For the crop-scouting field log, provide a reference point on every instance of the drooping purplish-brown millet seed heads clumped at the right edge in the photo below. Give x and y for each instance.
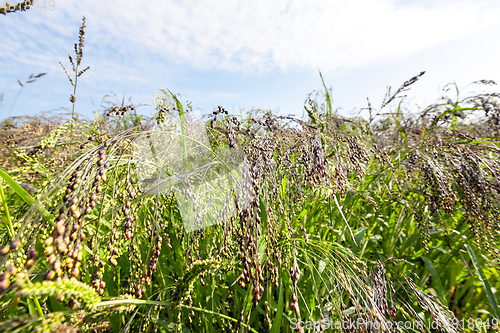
(450, 175)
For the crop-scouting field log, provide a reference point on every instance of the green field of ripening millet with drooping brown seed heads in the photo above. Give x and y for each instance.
(253, 223)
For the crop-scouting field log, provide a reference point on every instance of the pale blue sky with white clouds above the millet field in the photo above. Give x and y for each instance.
(246, 54)
